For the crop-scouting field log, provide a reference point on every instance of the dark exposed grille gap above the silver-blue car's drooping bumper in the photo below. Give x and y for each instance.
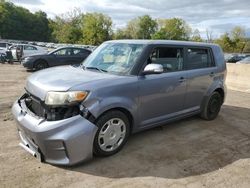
(50, 113)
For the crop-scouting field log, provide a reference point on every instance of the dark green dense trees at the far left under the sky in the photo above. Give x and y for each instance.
(19, 23)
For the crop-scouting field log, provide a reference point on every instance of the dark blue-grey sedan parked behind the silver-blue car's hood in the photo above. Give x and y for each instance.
(61, 56)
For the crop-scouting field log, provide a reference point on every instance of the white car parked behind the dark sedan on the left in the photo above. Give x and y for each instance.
(27, 50)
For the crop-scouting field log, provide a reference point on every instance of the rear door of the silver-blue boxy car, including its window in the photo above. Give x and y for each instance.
(200, 75)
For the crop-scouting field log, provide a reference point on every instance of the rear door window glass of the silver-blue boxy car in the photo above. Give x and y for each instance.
(199, 58)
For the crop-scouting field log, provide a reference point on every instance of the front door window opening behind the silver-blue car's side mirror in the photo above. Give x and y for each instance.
(171, 58)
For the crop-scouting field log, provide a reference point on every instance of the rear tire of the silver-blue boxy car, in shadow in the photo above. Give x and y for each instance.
(212, 107)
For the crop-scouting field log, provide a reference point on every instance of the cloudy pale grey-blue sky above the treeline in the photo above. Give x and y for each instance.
(217, 15)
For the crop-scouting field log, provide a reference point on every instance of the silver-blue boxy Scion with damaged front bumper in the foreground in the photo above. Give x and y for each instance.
(69, 113)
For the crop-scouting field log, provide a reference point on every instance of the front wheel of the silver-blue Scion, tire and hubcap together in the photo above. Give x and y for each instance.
(112, 134)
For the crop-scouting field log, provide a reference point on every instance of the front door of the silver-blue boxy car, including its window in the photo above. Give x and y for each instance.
(162, 96)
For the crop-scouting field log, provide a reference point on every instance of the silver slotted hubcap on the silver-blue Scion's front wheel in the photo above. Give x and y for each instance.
(112, 134)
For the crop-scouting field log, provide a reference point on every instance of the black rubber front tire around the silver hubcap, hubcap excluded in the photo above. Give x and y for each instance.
(101, 122)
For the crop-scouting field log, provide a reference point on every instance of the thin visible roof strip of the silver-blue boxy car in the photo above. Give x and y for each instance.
(169, 42)
